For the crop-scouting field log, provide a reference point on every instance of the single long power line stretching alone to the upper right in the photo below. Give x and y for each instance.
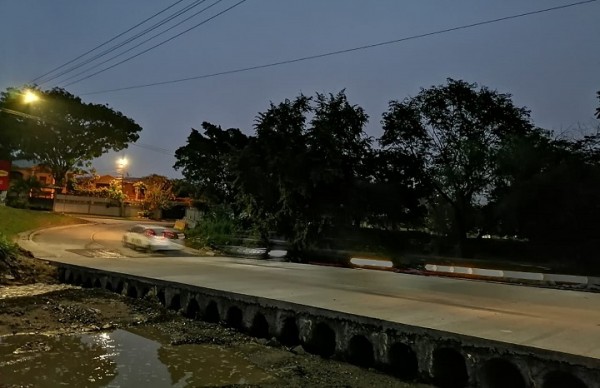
(345, 51)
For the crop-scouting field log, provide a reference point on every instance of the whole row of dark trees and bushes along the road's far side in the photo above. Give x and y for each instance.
(460, 174)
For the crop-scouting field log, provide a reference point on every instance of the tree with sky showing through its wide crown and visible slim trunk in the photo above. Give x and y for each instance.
(454, 132)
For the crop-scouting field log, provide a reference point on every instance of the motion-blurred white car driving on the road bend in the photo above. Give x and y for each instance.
(151, 238)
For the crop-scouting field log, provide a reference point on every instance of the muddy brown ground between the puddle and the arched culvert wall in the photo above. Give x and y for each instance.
(32, 301)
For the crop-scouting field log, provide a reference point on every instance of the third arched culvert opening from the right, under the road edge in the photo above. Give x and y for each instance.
(449, 369)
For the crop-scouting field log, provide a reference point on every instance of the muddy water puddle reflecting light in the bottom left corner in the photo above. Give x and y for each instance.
(120, 359)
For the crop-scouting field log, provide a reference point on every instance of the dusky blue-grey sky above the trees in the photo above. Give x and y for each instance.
(549, 61)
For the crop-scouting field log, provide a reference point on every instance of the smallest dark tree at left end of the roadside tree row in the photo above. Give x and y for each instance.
(206, 162)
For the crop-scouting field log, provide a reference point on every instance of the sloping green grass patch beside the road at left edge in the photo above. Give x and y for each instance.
(14, 221)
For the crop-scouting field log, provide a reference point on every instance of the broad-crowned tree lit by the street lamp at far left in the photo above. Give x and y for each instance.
(62, 132)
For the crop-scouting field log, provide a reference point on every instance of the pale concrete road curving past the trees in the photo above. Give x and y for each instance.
(565, 321)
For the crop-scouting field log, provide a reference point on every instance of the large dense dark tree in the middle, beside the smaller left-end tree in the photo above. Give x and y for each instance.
(301, 172)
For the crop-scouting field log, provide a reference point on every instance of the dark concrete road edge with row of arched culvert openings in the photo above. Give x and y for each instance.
(411, 353)
